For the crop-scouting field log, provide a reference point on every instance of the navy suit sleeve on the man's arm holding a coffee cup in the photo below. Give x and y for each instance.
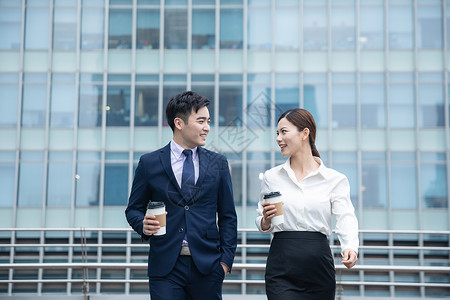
(139, 197)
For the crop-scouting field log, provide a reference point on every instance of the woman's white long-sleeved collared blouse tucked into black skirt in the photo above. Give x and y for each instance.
(310, 203)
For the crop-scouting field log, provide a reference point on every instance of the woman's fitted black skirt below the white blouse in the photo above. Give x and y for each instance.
(300, 266)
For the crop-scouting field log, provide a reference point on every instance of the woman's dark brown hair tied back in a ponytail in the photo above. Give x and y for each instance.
(301, 118)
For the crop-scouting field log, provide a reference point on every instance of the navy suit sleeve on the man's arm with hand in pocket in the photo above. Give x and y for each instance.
(227, 219)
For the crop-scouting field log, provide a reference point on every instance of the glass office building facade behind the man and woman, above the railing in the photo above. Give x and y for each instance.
(84, 85)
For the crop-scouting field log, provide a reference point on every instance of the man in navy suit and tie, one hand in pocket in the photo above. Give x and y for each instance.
(190, 261)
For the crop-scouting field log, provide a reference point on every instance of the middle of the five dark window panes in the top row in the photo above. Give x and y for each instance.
(175, 29)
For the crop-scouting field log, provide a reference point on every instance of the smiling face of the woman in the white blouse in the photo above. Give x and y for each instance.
(289, 138)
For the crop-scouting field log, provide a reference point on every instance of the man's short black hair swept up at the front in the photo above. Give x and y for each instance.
(181, 106)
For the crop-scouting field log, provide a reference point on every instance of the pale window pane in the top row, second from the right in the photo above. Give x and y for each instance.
(400, 27)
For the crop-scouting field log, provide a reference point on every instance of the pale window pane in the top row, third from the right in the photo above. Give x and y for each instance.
(372, 27)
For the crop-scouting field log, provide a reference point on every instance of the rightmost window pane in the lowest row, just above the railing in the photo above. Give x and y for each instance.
(434, 185)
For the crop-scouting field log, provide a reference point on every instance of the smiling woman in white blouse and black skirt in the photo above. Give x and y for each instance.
(300, 264)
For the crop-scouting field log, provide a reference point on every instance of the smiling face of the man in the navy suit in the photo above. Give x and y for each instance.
(197, 128)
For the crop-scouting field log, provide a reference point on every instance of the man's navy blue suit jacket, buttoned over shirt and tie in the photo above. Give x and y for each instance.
(208, 218)
